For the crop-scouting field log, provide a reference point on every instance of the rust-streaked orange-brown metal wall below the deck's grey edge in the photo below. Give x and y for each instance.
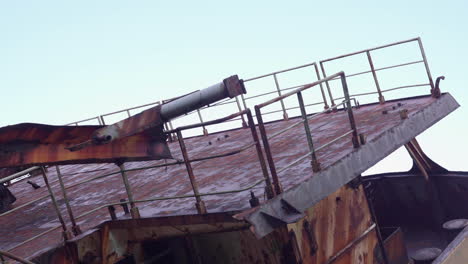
(338, 229)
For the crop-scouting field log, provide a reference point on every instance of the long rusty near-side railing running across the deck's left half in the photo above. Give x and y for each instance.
(131, 201)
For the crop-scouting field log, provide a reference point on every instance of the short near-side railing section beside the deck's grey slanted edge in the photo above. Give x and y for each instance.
(304, 120)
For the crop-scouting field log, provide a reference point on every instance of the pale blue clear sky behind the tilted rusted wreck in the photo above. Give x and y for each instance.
(62, 61)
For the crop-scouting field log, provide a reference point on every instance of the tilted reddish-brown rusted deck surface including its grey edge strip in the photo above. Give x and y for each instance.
(385, 127)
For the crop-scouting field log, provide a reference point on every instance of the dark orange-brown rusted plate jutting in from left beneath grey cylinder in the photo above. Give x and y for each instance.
(37, 144)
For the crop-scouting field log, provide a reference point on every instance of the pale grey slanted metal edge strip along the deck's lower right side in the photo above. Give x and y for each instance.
(311, 191)
